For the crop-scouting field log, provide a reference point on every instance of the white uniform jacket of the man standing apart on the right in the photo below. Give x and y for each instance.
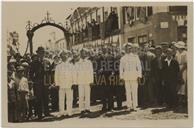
(130, 67)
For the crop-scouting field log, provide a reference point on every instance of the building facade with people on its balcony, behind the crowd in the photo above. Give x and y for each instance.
(93, 27)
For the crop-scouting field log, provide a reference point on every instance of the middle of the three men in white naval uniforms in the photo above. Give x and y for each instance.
(84, 79)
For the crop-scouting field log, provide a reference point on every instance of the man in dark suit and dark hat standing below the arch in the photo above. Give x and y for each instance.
(40, 91)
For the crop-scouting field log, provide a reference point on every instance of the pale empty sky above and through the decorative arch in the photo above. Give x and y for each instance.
(16, 14)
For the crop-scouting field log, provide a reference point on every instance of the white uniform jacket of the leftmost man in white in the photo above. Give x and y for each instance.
(63, 75)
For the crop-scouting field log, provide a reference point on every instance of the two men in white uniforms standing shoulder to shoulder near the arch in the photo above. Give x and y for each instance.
(68, 74)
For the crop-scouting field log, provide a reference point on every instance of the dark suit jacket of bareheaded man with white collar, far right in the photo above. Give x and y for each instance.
(170, 74)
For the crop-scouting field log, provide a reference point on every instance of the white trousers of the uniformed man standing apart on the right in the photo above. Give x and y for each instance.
(131, 87)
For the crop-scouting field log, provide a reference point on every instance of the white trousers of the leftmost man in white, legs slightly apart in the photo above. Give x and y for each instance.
(69, 100)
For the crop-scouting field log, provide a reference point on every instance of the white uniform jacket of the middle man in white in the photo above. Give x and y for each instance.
(85, 72)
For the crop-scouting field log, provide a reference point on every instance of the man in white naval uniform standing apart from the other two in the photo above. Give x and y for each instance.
(130, 72)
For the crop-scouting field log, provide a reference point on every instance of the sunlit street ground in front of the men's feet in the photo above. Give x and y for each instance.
(150, 113)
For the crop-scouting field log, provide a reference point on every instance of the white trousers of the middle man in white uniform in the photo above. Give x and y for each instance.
(84, 97)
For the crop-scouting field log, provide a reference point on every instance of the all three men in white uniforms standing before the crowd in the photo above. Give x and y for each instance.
(81, 74)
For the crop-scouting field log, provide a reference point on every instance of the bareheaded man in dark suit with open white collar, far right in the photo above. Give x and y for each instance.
(170, 73)
